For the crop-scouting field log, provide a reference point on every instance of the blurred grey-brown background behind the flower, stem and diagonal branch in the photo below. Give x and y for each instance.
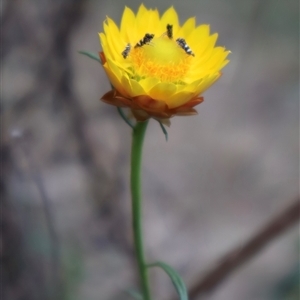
(66, 228)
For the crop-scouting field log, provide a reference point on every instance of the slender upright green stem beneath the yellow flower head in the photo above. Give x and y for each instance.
(136, 158)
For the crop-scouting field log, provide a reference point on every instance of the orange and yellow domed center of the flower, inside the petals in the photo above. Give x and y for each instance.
(162, 58)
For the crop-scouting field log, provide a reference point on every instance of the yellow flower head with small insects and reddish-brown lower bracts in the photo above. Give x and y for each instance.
(157, 67)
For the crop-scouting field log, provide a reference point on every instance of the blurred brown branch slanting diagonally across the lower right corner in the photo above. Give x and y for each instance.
(237, 257)
